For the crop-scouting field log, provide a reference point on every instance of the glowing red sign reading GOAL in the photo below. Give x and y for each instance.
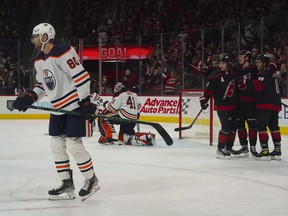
(119, 52)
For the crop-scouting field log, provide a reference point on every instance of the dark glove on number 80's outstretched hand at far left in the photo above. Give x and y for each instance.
(24, 100)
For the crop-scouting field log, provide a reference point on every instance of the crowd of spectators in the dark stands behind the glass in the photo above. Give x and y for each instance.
(182, 25)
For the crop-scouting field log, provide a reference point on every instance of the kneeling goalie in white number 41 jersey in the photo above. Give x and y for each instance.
(125, 105)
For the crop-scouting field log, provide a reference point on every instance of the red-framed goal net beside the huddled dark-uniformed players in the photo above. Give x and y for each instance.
(189, 107)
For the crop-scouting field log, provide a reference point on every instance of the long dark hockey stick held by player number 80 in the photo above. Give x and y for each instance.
(163, 133)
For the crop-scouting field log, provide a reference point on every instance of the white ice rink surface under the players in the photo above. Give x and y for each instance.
(183, 179)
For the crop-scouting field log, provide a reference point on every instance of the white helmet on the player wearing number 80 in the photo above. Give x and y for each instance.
(42, 29)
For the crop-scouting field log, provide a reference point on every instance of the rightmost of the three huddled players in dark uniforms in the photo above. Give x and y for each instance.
(268, 105)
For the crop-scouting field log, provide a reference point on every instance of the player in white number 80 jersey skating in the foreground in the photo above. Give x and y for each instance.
(66, 83)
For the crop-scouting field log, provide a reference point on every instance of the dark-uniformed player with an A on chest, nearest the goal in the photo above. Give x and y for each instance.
(221, 86)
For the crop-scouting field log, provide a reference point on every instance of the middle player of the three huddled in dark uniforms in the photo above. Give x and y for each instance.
(246, 111)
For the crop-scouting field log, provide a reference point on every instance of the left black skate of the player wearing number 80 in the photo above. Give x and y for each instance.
(64, 192)
